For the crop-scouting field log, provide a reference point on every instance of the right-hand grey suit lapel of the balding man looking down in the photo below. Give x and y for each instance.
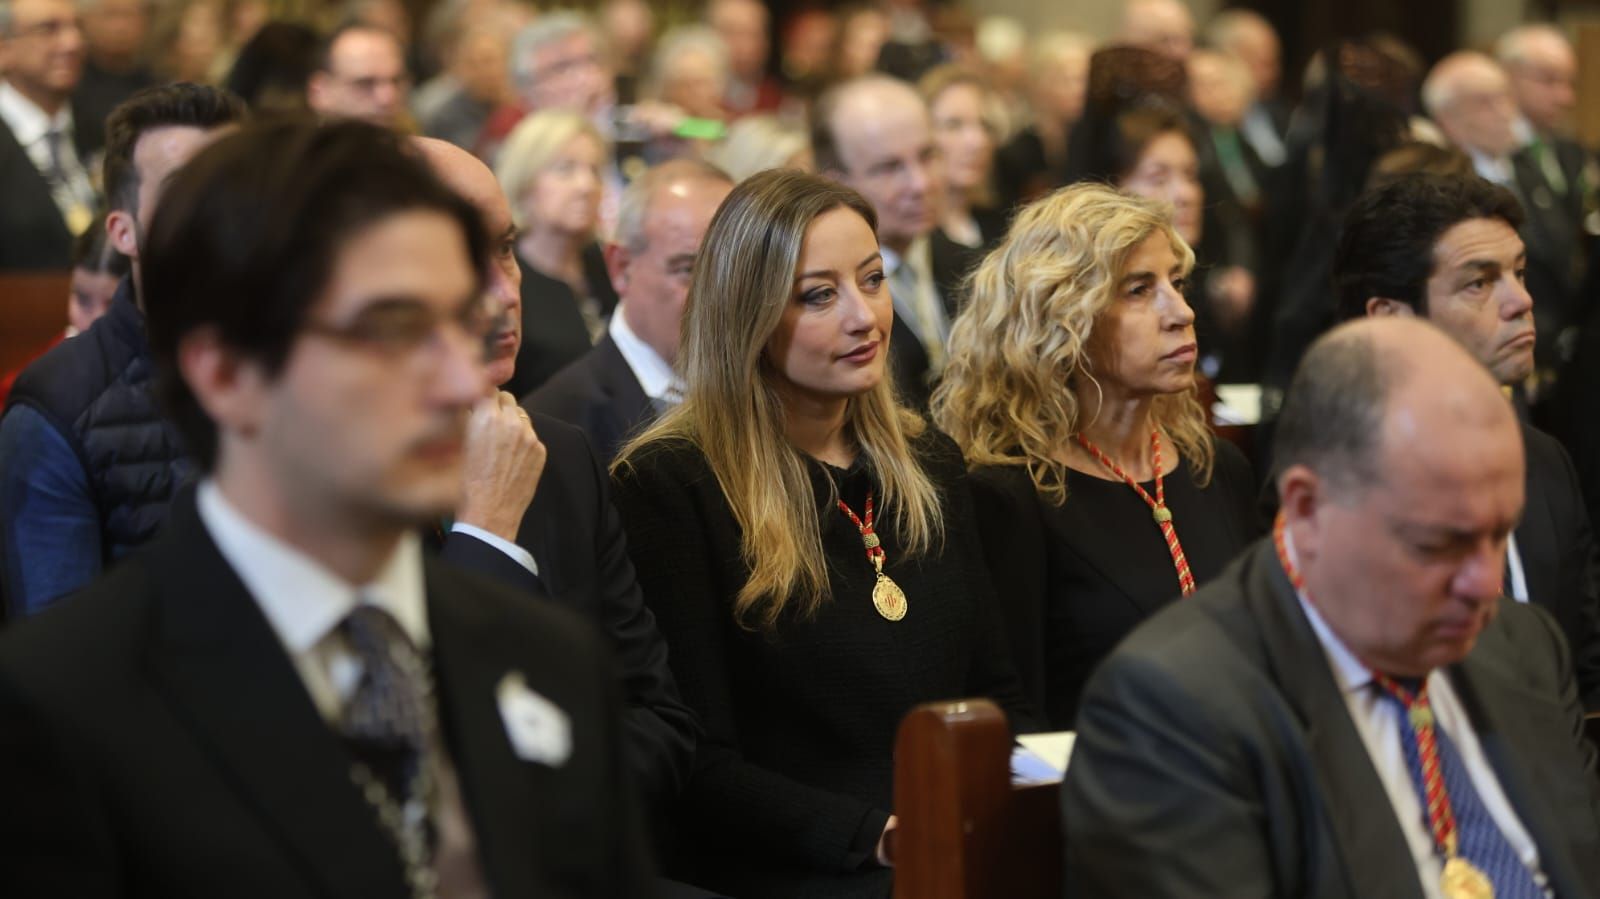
(1510, 722)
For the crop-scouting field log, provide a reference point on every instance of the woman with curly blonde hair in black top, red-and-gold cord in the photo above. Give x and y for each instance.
(1073, 391)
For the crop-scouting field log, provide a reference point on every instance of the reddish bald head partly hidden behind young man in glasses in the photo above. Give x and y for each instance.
(468, 177)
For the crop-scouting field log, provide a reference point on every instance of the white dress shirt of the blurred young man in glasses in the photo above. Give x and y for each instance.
(305, 604)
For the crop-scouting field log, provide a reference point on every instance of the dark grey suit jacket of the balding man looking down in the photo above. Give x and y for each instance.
(1217, 757)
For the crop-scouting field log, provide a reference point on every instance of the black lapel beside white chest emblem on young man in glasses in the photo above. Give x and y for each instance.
(495, 785)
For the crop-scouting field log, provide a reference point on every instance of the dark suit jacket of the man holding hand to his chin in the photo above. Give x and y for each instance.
(577, 540)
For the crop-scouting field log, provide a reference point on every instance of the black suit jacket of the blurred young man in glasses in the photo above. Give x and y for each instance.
(158, 741)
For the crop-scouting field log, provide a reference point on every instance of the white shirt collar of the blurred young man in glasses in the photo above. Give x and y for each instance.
(302, 599)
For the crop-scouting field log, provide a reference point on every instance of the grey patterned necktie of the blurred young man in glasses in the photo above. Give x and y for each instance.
(388, 725)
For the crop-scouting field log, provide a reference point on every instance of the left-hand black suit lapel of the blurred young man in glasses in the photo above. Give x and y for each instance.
(231, 682)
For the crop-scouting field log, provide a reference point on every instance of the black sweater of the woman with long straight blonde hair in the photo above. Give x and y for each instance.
(794, 780)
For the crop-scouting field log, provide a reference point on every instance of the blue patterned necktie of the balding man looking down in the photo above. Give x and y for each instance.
(1479, 837)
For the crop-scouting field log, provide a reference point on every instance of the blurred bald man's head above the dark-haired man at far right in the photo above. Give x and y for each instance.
(1470, 97)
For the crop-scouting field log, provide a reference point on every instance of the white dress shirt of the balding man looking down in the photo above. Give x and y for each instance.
(1380, 725)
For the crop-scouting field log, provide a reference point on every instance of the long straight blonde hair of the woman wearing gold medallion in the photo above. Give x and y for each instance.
(732, 412)
